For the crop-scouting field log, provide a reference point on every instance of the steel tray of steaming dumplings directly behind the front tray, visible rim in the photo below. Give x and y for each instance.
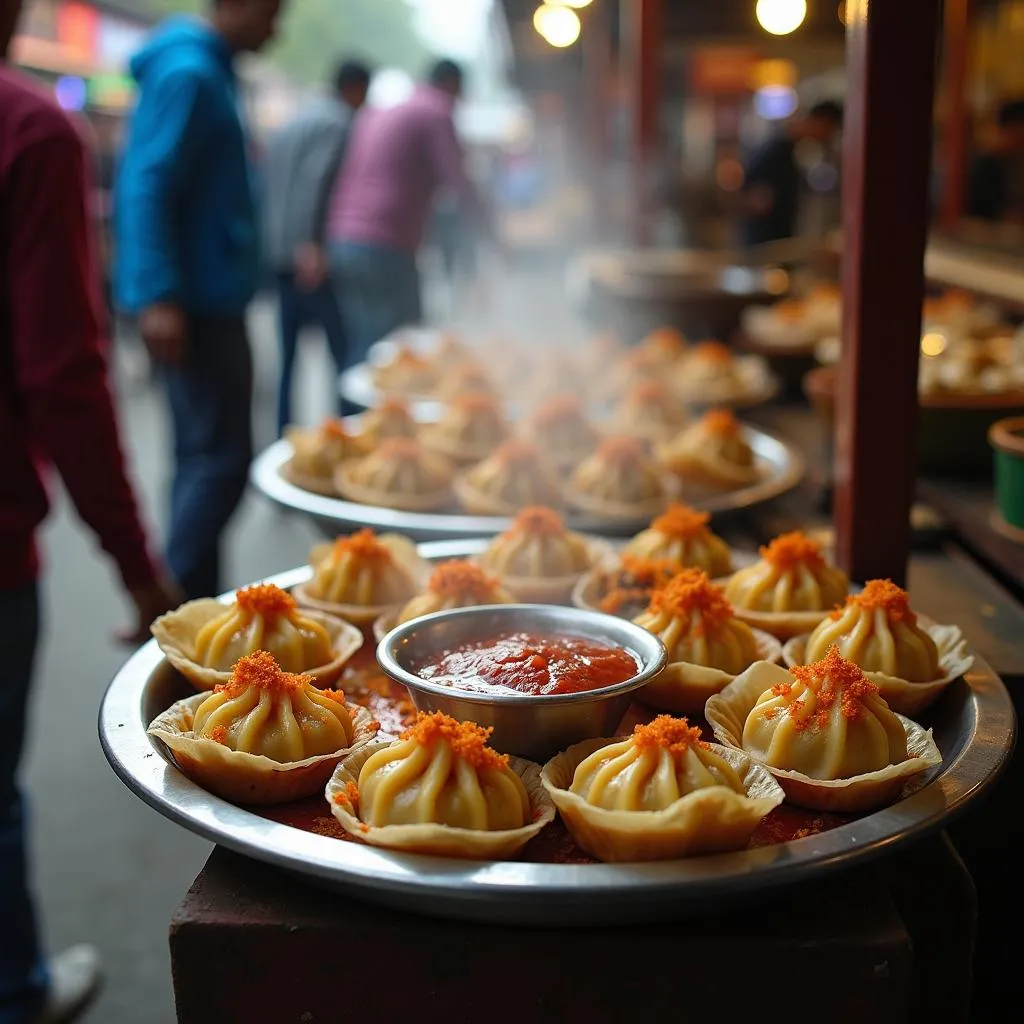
(784, 464)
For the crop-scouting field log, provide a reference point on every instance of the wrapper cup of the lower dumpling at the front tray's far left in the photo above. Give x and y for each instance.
(248, 779)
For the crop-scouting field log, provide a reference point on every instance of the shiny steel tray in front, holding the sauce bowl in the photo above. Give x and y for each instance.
(974, 727)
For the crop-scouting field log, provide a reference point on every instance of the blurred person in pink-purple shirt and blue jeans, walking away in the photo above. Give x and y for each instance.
(398, 161)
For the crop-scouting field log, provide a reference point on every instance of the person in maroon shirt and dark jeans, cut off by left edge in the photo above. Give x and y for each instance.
(56, 409)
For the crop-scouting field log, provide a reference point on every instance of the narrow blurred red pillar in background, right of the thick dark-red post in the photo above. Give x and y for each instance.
(955, 148)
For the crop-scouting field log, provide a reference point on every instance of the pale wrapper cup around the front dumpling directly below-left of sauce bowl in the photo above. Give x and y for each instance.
(442, 841)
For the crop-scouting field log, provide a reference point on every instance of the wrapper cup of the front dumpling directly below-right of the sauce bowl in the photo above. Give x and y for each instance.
(710, 821)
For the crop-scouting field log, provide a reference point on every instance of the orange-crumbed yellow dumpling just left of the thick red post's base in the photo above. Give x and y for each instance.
(792, 576)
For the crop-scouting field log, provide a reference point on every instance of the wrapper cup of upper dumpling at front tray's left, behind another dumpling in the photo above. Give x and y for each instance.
(177, 634)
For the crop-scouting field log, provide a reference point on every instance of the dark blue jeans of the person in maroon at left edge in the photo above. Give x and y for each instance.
(23, 970)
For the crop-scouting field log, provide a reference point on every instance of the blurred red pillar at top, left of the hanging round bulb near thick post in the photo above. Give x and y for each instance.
(644, 23)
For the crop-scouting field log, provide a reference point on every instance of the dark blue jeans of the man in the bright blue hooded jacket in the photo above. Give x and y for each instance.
(211, 407)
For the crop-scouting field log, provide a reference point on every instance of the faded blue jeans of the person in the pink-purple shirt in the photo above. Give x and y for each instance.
(379, 292)
